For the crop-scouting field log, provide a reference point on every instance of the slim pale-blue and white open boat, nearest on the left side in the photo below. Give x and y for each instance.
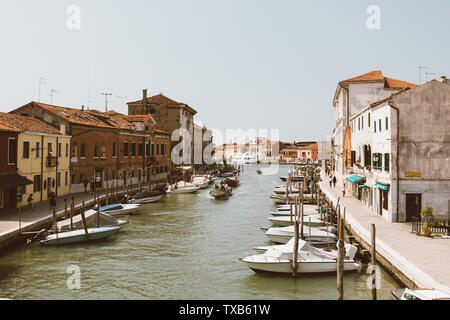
(78, 236)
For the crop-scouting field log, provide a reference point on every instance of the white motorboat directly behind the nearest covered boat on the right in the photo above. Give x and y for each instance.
(317, 237)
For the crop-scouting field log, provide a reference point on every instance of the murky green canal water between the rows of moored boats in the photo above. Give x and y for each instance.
(184, 247)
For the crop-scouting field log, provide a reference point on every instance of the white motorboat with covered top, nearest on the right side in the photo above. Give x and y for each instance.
(279, 260)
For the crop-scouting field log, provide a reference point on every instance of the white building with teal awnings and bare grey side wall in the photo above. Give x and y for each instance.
(402, 143)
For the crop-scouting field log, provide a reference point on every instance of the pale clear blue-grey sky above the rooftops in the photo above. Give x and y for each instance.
(240, 63)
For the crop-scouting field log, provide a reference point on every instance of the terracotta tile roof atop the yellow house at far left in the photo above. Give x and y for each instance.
(22, 123)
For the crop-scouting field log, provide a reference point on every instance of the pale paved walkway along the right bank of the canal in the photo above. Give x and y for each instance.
(423, 260)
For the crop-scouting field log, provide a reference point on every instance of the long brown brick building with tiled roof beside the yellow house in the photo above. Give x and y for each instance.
(106, 148)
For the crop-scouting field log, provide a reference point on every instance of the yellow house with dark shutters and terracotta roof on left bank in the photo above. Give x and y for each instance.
(43, 156)
